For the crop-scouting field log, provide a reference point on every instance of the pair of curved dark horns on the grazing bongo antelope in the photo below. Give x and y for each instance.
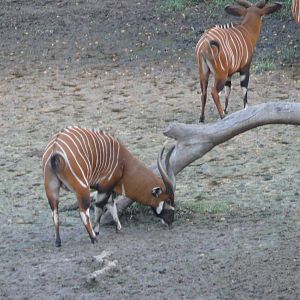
(167, 175)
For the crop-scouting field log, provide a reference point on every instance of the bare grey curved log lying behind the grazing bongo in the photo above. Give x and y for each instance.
(195, 140)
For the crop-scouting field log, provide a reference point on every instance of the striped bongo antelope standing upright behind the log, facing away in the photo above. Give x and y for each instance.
(225, 50)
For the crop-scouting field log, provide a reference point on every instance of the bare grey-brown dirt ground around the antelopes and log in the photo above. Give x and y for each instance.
(128, 67)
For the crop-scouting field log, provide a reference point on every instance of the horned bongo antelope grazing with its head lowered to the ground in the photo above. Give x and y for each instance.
(78, 159)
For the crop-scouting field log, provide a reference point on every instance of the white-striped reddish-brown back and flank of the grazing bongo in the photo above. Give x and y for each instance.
(94, 154)
